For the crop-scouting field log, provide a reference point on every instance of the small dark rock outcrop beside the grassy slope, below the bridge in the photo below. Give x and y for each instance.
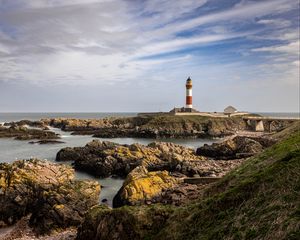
(237, 147)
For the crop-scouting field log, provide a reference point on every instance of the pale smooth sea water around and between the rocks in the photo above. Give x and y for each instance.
(11, 150)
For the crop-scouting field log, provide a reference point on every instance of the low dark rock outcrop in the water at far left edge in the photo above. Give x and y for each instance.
(24, 133)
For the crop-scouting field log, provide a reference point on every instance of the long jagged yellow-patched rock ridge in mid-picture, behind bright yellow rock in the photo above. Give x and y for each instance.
(106, 158)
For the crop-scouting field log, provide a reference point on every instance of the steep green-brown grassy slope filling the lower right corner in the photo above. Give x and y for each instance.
(260, 200)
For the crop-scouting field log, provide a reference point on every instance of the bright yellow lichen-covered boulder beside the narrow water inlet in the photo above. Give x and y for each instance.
(141, 186)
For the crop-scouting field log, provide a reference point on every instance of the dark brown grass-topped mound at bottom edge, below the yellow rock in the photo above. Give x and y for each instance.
(126, 223)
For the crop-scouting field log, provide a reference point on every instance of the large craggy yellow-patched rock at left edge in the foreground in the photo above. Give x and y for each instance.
(47, 191)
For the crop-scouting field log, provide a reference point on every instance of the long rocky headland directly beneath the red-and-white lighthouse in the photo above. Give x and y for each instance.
(158, 126)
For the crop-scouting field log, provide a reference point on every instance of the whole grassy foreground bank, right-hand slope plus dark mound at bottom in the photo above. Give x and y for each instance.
(258, 200)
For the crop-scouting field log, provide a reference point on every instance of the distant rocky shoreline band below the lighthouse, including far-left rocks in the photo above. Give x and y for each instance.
(156, 126)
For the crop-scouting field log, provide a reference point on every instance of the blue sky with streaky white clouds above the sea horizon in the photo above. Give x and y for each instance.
(135, 55)
